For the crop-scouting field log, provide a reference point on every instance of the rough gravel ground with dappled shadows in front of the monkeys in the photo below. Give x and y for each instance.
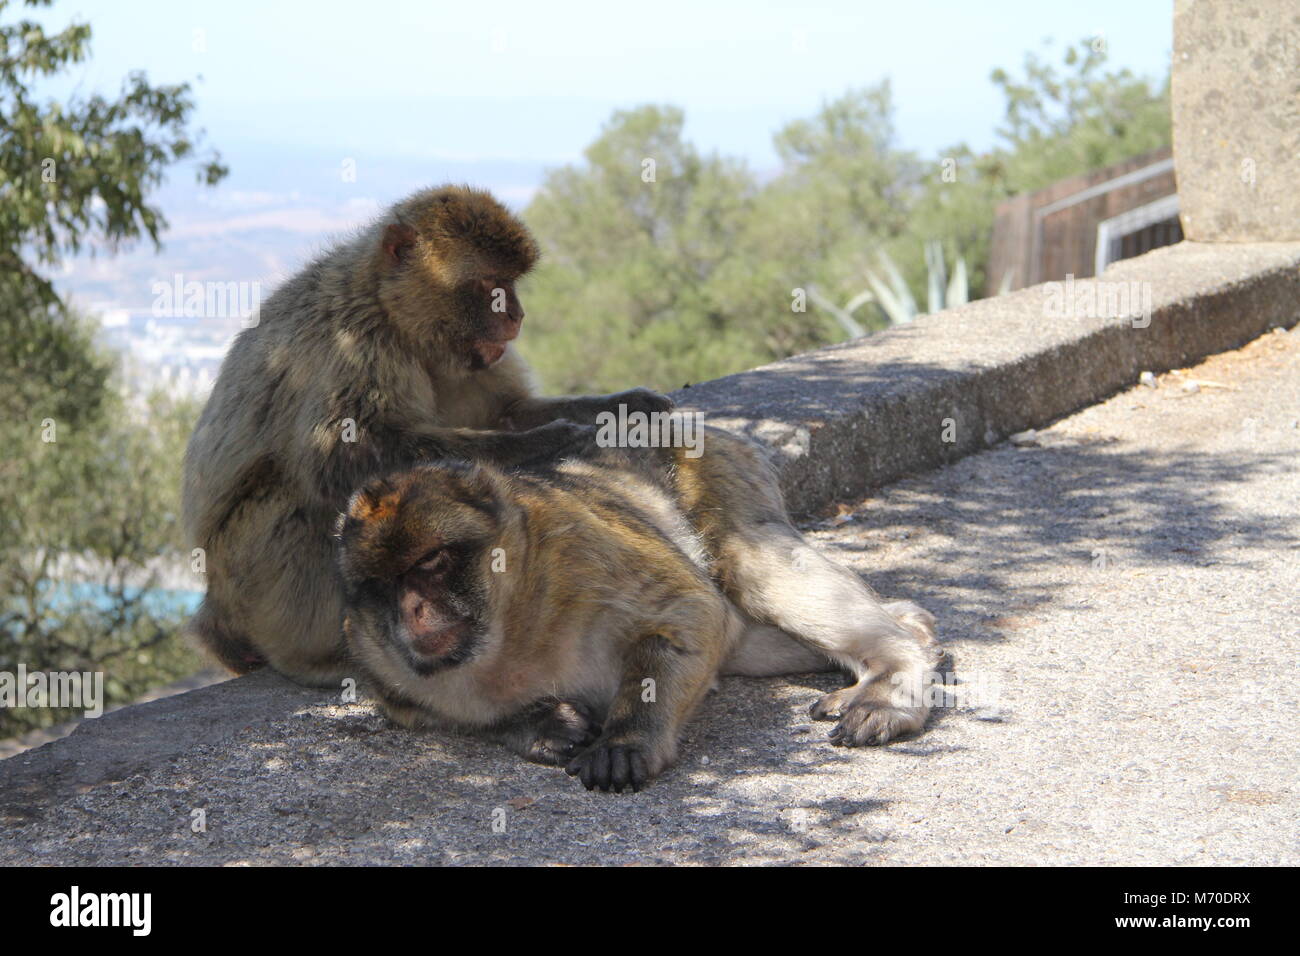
(1117, 594)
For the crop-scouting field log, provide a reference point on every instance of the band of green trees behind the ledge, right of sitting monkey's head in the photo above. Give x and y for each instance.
(694, 275)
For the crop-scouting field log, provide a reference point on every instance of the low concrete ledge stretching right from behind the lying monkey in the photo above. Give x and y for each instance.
(846, 419)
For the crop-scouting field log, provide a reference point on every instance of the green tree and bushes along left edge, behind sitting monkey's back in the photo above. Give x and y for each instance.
(89, 520)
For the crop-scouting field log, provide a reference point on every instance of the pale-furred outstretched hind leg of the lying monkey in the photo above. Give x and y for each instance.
(775, 577)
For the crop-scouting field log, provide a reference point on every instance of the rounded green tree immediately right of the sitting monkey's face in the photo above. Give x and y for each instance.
(632, 241)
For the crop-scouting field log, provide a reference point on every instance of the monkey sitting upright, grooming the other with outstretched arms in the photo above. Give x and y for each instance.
(391, 348)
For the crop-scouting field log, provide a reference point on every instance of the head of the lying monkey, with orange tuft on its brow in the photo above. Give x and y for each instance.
(415, 553)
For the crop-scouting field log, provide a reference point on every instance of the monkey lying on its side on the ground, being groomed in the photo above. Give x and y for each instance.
(582, 612)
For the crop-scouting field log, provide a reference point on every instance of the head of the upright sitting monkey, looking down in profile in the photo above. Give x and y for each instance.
(449, 262)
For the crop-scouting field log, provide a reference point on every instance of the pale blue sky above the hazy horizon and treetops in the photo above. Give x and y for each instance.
(528, 81)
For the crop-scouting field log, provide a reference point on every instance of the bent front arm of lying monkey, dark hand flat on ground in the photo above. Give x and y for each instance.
(665, 676)
